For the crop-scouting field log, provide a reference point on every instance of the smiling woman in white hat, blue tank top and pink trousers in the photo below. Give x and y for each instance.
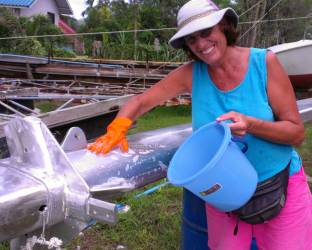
(250, 88)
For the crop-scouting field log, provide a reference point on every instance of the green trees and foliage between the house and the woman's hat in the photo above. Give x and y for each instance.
(121, 15)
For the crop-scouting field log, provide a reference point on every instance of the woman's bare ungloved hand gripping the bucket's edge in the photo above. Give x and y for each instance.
(241, 123)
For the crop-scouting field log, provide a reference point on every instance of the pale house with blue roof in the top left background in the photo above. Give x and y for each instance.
(54, 9)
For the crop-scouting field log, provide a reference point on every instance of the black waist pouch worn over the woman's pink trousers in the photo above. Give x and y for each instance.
(267, 201)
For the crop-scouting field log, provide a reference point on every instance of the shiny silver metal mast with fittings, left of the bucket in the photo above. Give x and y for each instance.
(50, 192)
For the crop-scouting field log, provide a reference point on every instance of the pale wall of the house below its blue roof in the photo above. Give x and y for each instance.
(42, 7)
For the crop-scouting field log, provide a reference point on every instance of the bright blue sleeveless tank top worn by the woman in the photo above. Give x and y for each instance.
(249, 98)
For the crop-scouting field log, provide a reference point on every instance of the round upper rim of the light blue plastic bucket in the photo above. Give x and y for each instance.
(214, 159)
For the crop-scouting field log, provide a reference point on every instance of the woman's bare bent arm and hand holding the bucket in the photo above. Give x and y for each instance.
(288, 127)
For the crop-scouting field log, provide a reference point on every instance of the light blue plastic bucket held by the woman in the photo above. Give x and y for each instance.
(212, 166)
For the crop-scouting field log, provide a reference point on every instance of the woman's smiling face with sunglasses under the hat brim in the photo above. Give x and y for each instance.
(210, 46)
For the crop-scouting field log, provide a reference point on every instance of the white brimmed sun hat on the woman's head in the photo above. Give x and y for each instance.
(198, 15)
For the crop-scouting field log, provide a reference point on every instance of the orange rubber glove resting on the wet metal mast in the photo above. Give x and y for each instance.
(116, 134)
